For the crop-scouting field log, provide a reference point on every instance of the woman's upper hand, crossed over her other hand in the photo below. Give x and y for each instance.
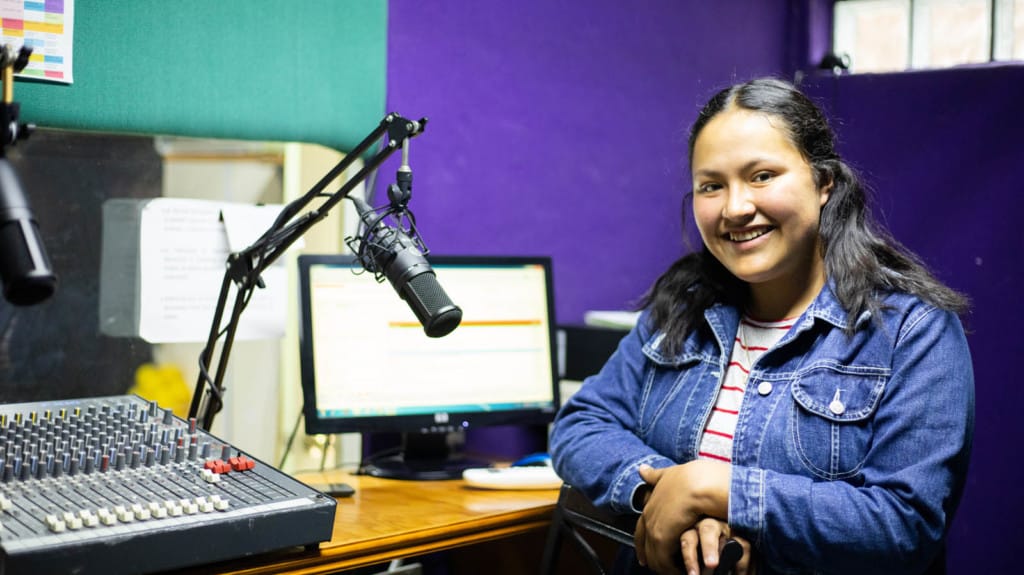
(679, 497)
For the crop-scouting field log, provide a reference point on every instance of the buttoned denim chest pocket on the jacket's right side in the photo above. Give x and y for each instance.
(831, 427)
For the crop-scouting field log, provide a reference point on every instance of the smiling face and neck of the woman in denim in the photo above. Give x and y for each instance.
(757, 206)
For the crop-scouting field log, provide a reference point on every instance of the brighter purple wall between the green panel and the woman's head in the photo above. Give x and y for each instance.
(559, 128)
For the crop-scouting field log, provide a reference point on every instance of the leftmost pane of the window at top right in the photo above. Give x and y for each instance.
(874, 33)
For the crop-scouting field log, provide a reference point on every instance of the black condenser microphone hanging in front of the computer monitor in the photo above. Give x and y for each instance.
(391, 251)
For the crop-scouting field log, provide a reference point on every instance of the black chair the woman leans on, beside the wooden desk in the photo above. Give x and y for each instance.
(575, 513)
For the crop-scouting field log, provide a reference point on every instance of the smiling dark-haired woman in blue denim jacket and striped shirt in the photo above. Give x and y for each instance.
(802, 384)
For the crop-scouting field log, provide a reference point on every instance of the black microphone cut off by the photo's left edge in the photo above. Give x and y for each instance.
(25, 269)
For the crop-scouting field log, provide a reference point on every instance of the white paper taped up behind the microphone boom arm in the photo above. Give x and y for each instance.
(163, 264)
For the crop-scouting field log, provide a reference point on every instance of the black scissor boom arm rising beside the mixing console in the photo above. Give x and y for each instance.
(244, 269)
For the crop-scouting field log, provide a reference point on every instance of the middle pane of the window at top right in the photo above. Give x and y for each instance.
(951, 32)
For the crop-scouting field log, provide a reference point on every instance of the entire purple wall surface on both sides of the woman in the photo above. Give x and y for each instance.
(559, 128)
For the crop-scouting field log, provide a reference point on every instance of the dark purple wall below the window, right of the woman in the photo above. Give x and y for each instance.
(944, 152)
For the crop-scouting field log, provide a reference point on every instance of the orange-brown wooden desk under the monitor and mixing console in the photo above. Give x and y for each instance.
(393, 519)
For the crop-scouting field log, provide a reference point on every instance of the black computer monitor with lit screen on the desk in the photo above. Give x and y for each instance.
(368, 366)
